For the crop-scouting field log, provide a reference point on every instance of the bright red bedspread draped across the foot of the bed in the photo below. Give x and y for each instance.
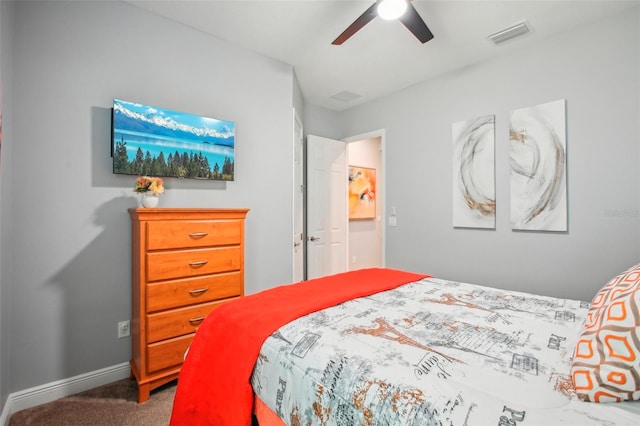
(214, 385)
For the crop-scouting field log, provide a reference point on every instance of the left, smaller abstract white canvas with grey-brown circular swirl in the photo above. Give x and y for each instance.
(474, 200)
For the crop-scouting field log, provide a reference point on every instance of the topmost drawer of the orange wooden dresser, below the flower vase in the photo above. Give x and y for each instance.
(169, 234)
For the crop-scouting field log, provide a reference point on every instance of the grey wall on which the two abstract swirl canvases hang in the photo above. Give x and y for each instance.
(597, 72)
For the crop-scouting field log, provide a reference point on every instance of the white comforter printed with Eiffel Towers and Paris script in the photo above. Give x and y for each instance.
(433, 352)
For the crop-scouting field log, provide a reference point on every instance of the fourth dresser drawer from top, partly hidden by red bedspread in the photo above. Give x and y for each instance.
(178, 322)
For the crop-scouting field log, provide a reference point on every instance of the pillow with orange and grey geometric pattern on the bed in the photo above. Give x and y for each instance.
(606, 361)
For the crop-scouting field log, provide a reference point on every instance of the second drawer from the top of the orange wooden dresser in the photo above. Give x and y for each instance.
(189, 263)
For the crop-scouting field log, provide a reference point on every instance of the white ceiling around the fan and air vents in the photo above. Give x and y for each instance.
(384, 56)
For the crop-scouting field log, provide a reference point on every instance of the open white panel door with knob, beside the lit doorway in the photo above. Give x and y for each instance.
(326, 206)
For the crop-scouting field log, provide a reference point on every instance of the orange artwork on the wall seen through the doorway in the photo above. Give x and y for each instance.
(362, 193)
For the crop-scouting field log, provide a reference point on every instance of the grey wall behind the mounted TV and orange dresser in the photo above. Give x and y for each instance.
(69, 234)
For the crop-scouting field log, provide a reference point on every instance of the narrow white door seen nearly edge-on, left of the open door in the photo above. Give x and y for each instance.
(298, 201)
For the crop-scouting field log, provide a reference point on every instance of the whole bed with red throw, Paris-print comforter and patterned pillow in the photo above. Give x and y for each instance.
(387, 347)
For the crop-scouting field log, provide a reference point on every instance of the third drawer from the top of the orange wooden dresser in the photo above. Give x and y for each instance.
(174, 294)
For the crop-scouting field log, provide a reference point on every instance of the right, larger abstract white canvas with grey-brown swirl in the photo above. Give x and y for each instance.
(537, 140)
